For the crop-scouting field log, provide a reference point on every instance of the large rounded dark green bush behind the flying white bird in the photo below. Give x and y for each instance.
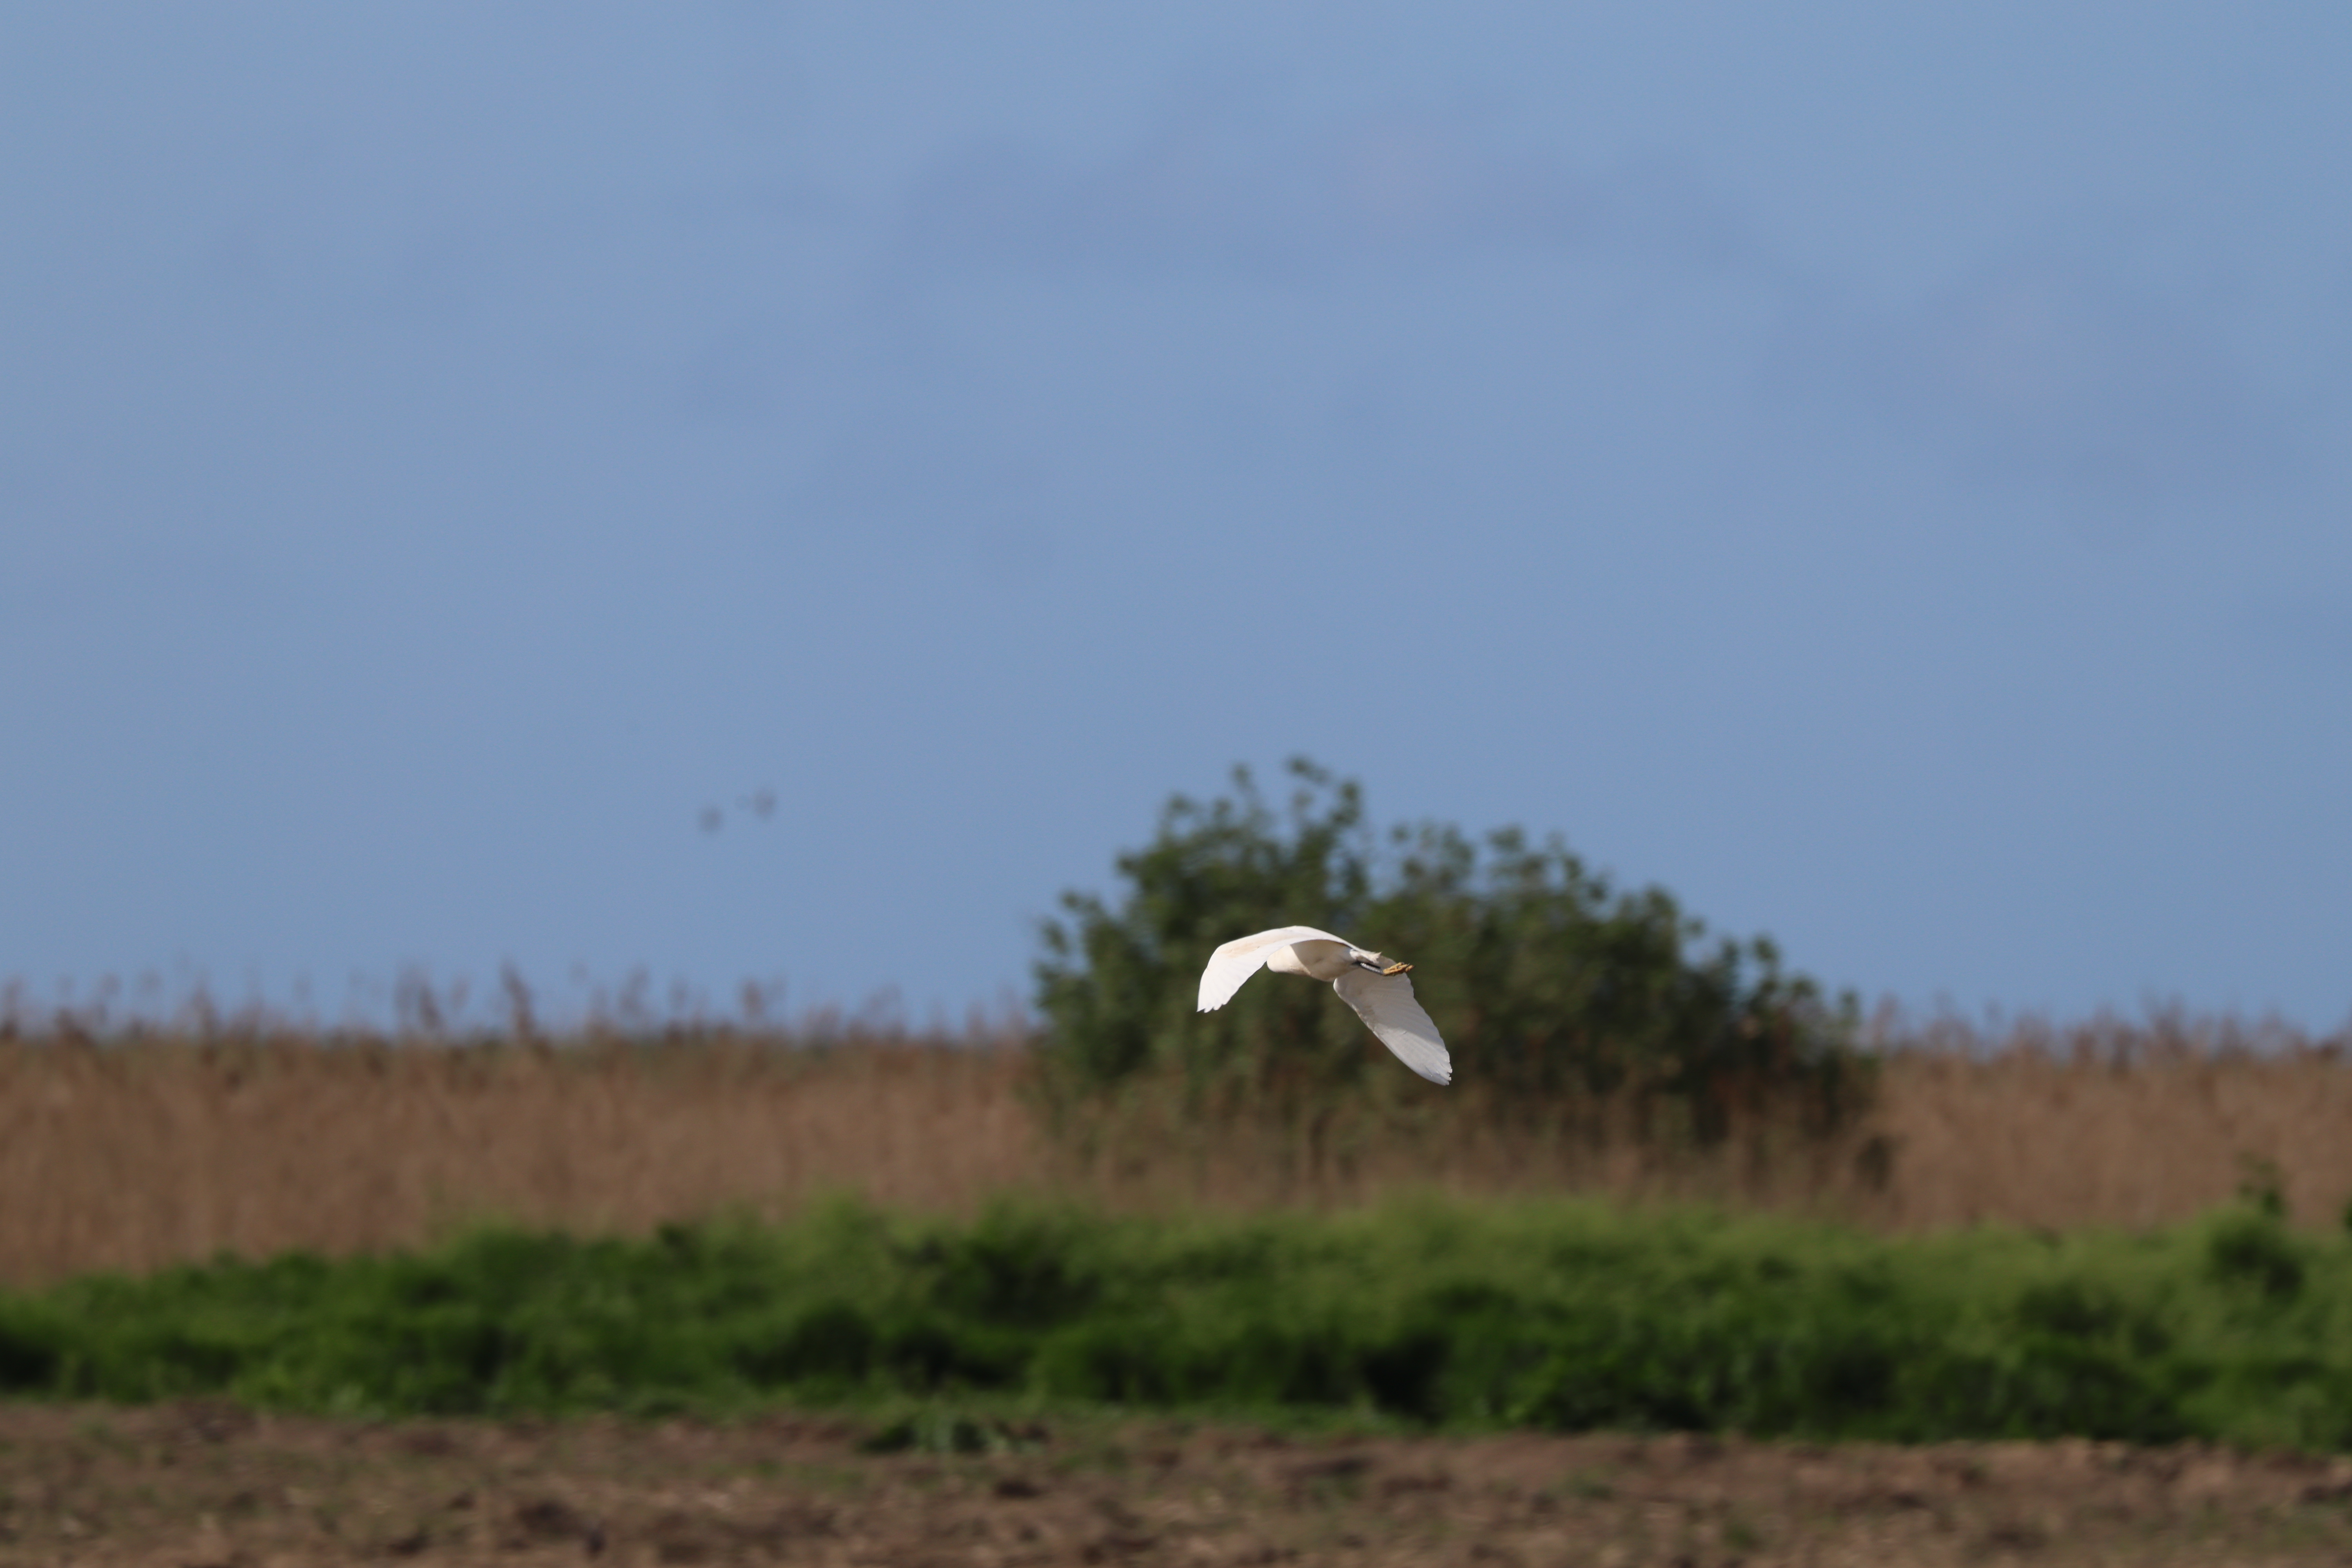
(1551, 986)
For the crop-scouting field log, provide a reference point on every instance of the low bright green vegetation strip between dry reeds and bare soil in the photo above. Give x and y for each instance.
(1450, 1315)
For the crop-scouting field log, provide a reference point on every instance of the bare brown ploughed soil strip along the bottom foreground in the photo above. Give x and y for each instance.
(201, 1487)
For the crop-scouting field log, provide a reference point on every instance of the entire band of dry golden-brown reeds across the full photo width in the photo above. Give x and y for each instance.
(173, 1146)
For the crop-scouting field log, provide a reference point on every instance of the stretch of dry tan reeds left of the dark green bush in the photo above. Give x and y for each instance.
(166, 1151)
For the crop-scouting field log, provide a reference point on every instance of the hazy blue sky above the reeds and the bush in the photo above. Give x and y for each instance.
(1883, 474)
